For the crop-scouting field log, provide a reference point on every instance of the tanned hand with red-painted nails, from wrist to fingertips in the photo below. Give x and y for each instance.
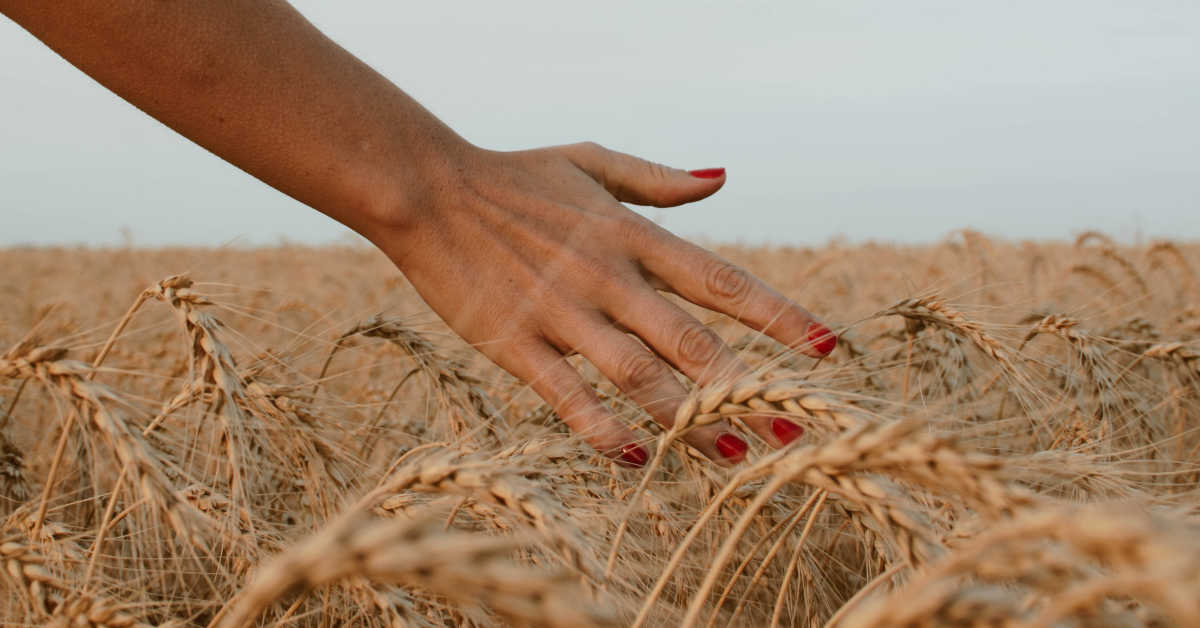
(530, 256)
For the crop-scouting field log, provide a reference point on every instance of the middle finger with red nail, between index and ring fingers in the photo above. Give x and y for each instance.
(700, 354)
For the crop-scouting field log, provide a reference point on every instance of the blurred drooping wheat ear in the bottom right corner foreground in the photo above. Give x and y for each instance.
(1165, 555)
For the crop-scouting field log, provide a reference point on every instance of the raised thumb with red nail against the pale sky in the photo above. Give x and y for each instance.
(644, 183)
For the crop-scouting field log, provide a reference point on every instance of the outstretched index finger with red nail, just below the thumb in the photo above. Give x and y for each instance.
(710, 282)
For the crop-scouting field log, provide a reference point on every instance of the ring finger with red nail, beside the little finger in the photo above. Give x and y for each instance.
(652, 385)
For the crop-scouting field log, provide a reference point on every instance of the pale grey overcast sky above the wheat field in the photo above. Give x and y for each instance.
(850, 119)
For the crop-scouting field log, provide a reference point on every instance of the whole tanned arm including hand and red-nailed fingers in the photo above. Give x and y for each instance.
(527, 255)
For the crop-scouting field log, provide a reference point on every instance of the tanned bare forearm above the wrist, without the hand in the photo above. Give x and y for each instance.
(255, 83)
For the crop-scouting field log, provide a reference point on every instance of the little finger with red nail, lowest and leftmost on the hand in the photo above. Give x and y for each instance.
(557, 382)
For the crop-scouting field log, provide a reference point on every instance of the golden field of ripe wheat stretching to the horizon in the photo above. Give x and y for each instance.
(1009, 434)
